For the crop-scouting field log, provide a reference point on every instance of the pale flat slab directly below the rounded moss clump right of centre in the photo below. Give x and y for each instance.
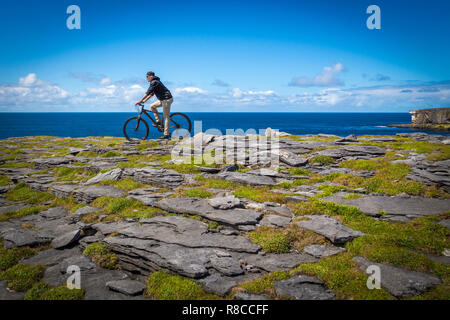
(278, 262)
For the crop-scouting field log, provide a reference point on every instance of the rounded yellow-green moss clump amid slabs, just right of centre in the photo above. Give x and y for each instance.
(271, 240)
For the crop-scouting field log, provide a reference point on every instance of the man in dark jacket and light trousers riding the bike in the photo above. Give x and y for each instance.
(165, 100)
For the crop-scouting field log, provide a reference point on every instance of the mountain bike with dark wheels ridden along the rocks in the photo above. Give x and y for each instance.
(136, 128)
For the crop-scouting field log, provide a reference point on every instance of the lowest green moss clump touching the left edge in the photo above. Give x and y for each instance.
(21, 277)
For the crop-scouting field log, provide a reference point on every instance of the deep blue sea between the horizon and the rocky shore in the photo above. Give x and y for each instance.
(110, 124)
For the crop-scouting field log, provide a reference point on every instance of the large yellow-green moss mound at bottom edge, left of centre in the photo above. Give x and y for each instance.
(164, 286)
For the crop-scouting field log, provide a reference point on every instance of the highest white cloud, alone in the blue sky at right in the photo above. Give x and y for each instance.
(328, 77)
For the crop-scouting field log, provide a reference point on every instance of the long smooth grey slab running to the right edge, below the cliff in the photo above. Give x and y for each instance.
(394, 206)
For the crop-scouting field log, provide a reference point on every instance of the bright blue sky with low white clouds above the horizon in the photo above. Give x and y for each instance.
(263, 56)
